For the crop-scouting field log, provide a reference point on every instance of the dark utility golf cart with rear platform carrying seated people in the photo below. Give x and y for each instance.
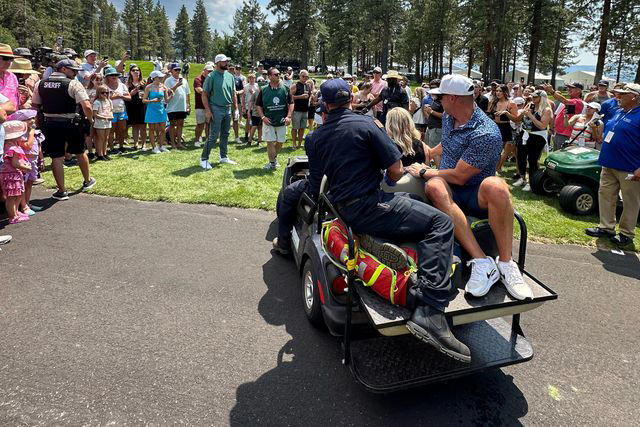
(376, 345)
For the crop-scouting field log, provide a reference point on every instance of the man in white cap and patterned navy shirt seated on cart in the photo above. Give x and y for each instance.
(466, 184)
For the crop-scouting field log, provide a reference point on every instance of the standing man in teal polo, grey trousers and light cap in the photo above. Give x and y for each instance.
(218, 99)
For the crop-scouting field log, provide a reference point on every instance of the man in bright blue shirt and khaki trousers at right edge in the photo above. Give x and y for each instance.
(620, 161)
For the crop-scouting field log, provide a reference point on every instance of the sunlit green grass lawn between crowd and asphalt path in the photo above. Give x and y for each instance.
(177, 177)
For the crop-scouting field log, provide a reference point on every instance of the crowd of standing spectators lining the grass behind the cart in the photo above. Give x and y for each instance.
(80, 110)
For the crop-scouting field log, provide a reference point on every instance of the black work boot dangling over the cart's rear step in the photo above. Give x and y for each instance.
(430, 326)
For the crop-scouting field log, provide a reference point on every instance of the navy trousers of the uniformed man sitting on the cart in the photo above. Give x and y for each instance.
(398, 217)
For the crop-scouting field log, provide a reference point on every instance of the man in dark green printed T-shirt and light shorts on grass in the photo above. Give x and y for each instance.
(275, 106)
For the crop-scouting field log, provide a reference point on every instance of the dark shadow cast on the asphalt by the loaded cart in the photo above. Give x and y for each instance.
(309, 385)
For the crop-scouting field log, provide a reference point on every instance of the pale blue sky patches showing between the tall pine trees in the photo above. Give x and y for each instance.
(221, 16)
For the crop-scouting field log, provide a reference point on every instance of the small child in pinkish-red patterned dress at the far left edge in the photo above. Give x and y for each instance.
(15, 163)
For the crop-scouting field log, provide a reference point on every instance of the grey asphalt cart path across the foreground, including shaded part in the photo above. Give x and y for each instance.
(119, 311)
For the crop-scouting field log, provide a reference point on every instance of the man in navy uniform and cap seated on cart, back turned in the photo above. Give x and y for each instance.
(353, 150)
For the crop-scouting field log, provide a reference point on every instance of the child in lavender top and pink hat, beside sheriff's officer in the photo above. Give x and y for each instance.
(32, 152)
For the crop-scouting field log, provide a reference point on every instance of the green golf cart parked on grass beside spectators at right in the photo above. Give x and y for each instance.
(573, 172)
